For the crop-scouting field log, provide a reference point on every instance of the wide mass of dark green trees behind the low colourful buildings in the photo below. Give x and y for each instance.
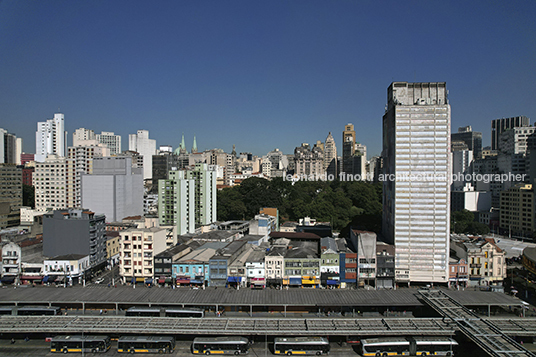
(338, 202)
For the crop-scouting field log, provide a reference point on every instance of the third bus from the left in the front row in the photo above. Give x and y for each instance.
(220, 345)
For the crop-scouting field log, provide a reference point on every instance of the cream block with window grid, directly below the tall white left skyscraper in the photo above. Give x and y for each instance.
(50, 181)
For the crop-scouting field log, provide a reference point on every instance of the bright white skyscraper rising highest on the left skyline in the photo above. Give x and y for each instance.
(51, 138)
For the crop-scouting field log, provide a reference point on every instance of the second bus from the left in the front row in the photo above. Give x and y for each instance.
(146, 344)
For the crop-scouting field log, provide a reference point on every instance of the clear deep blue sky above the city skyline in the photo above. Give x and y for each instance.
(259, 74)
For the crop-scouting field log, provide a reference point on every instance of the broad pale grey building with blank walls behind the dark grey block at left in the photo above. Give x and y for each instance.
(114, 189)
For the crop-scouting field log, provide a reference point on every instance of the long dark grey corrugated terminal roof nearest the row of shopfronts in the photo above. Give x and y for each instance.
(291, 297)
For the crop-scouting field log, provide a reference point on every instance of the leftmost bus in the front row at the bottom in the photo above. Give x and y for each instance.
(93, 344)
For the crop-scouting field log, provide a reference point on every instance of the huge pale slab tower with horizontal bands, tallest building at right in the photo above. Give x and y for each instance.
(416, 153)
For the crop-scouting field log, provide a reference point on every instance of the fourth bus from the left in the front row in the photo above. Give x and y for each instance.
(301, 346)
